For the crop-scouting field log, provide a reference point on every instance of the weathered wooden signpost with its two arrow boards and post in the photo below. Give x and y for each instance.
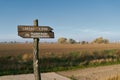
(35, 32)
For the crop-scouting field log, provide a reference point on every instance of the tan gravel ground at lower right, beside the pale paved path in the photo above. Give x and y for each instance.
(98, 73)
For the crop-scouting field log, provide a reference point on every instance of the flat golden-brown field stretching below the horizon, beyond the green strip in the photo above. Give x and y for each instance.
(17, 49)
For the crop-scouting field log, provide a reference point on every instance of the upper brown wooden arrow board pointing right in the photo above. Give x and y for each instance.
(34, 28)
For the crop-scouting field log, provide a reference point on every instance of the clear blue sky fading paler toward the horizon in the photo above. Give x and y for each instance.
(76, 19)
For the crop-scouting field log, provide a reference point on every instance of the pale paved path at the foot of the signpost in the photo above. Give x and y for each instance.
(45, 76)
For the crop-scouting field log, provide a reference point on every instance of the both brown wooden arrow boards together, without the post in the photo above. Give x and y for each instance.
(35, 31)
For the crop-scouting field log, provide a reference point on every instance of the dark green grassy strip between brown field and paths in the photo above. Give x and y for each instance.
(74, 60)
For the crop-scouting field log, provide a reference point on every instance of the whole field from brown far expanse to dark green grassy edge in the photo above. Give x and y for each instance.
(17, 58)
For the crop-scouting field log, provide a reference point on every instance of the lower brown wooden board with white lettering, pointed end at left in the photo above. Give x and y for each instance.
(36, 34)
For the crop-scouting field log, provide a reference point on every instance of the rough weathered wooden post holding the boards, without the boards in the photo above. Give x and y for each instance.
(36, 64)
